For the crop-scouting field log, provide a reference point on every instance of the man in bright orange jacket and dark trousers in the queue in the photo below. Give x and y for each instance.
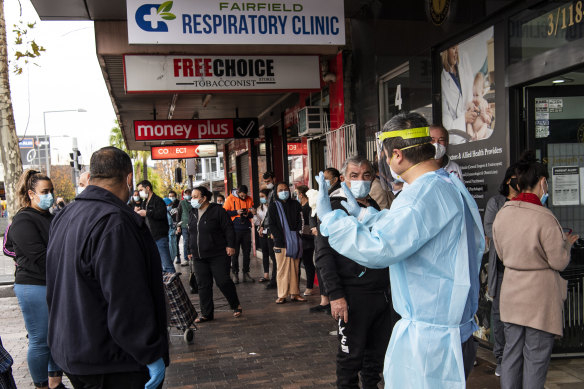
(239, 207)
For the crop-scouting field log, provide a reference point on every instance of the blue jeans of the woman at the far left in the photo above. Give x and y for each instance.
(33, 304)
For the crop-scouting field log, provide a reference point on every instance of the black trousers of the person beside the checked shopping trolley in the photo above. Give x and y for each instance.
(218, 268)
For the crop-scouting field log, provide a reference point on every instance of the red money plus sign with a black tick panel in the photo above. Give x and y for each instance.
(159, 130)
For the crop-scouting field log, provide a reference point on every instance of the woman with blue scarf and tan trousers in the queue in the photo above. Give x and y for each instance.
(285, 216)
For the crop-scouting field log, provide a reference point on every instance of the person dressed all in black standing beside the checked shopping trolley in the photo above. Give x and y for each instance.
(211, 244)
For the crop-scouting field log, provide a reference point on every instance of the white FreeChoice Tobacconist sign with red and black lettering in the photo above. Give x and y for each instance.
(155, 73)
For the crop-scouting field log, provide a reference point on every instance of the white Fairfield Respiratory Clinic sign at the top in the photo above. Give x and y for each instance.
(280, 22)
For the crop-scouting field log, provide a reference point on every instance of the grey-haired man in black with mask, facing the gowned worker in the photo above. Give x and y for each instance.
(360, 297)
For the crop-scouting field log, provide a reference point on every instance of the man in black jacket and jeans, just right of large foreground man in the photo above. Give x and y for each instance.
(153, 209)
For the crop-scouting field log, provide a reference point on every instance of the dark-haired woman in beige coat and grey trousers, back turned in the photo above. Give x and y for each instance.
(534, 249)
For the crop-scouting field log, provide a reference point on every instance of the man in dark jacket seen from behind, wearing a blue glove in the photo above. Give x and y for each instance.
(107, 313)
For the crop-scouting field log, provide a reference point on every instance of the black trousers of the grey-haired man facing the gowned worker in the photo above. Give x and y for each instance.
(364, 339)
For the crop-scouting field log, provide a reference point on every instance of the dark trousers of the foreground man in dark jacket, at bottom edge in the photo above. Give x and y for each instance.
(133, 380)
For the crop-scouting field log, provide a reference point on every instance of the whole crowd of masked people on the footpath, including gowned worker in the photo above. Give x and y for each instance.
(403, 307)
